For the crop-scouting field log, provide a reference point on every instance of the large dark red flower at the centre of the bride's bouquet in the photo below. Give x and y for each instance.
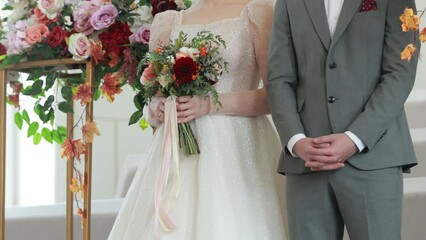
(185, 70)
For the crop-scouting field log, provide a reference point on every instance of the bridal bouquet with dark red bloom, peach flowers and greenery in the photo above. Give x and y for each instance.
(178, 69)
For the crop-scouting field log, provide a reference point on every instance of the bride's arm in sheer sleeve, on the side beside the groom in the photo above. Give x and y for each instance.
(252, 102)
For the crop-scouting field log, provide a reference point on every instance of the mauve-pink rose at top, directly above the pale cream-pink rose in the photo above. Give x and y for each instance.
(82, 15)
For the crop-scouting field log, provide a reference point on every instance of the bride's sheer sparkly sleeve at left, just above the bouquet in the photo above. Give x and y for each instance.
(161, 28)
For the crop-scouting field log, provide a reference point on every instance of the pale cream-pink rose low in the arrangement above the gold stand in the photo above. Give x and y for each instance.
(79, 46)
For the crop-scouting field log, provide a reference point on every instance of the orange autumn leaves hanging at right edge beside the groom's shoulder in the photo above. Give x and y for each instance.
(411, 22)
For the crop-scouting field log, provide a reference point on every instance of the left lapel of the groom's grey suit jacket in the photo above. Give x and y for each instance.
(316, 10)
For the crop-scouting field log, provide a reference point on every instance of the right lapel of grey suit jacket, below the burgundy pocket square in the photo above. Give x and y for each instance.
(349, 9)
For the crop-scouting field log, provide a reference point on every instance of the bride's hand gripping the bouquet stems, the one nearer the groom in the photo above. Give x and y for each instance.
(192, 107)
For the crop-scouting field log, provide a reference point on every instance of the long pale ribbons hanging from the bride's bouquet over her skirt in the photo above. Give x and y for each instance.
(168, 183)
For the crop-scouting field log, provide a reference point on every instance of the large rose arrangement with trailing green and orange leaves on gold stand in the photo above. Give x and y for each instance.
(112, 34)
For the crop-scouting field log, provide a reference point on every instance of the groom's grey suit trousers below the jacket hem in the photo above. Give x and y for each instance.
(368, 203)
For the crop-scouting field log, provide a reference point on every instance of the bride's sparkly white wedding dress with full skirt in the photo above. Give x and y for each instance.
(231, 190)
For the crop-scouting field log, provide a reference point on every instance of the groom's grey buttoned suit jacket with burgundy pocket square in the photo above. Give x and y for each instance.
(356, 81)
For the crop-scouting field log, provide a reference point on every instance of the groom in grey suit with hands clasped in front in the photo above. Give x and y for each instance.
(336, 88)
